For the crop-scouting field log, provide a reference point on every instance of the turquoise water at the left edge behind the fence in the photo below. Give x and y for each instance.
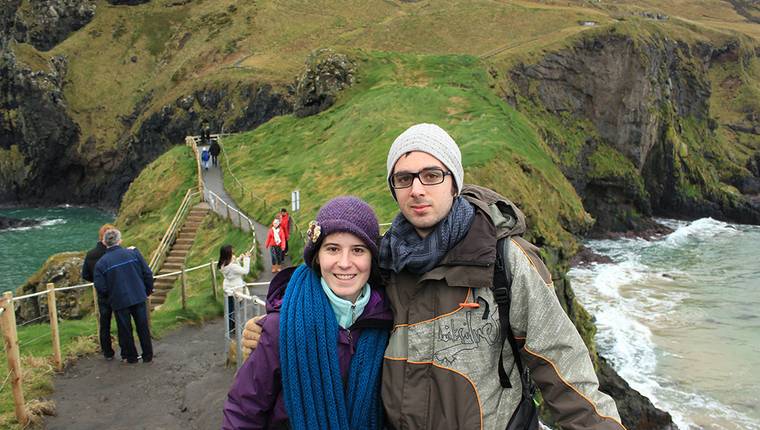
(24, 250)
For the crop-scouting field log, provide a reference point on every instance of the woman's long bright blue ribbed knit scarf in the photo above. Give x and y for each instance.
(311, 379)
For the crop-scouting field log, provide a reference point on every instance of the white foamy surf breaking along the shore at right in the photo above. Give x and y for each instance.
(625, 312)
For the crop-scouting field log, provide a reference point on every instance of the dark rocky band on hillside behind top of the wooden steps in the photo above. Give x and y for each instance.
(105, 176)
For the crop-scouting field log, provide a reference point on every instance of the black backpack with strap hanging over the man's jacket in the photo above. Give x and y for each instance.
(525, 416)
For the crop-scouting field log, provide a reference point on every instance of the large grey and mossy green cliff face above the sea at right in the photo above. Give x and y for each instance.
(650, 144)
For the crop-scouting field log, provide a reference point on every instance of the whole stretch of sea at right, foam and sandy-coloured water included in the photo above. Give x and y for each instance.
(679, 319)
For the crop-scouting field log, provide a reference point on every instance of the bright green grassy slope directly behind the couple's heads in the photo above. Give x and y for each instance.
(343, 150)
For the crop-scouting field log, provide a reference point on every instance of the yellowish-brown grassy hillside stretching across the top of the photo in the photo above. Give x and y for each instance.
(165, 49)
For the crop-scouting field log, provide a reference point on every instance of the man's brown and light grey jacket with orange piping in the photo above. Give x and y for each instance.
(441, 366)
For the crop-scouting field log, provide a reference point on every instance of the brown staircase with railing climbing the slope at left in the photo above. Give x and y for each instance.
(176, 259)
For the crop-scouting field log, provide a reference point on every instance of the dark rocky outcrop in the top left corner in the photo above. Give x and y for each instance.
(45, 23)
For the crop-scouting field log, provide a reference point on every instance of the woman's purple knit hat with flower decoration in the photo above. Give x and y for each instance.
(342, 214)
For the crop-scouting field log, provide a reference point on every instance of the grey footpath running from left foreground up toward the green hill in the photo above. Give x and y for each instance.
(184, 388)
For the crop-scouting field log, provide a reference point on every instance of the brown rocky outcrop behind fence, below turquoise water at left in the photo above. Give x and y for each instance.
(63, 270)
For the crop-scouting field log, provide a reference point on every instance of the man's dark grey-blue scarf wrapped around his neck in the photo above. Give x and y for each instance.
(402, 248)
